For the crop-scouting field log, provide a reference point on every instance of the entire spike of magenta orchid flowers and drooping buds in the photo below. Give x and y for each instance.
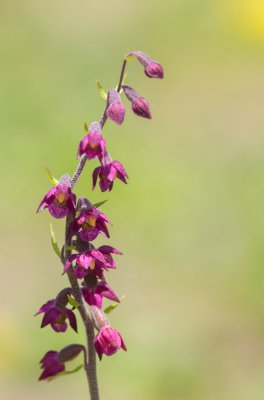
(85, 264)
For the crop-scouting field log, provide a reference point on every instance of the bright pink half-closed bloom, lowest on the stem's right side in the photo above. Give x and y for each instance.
(108, 341)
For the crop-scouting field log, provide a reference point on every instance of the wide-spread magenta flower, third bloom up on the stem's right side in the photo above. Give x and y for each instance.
(84, 262)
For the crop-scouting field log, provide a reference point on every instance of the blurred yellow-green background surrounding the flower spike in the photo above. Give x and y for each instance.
(190, 222)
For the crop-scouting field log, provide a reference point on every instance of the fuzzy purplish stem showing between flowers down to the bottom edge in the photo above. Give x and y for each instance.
(90, 365)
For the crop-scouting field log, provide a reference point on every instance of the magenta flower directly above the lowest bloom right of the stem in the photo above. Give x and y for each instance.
(94, 291)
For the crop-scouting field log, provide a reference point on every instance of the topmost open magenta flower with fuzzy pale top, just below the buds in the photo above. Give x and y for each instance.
(92, 145)
